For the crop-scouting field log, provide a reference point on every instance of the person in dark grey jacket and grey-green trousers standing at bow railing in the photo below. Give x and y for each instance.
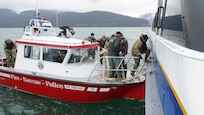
(114, 49)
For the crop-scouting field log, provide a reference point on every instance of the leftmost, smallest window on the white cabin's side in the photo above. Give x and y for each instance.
(32, 52)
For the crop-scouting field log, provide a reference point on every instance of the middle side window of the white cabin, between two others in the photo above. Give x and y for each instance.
(54, 55)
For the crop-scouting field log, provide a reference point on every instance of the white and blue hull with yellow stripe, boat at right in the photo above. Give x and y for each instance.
(180, 76)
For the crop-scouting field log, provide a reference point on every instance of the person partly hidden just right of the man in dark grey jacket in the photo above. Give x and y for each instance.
(124, 51)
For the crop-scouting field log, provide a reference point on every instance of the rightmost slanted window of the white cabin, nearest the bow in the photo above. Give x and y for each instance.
(79, 55)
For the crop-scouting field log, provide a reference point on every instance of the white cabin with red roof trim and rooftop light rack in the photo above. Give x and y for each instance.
(42, 51)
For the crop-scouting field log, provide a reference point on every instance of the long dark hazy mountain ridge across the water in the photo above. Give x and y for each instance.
(10, 18)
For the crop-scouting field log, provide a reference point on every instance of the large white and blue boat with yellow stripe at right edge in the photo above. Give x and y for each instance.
(178, 55)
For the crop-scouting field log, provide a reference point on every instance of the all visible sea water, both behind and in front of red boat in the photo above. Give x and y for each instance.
(14, 102)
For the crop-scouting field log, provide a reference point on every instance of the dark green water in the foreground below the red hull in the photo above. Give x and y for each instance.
(14, 102)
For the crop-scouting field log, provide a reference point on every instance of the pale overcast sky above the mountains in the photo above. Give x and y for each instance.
(133, 8)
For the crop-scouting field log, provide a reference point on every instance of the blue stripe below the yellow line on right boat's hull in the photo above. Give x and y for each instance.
(168, 100)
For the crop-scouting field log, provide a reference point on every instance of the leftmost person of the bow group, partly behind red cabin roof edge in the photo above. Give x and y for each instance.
(92, 51)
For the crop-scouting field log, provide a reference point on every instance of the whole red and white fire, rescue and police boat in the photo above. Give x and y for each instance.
(59, 67)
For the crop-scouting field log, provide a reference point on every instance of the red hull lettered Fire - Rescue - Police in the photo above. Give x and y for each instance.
(82, 92)
